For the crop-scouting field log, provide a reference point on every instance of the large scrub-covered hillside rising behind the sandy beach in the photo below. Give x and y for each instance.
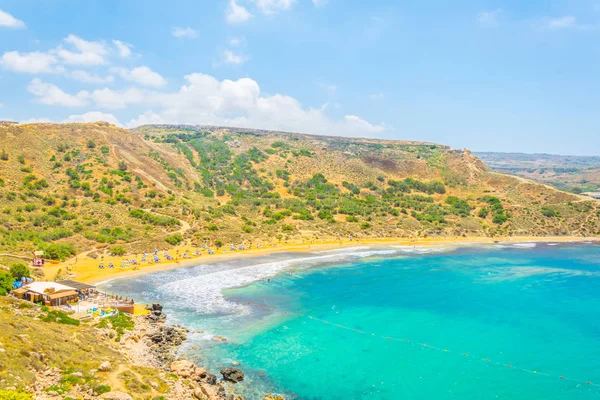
(69, 188)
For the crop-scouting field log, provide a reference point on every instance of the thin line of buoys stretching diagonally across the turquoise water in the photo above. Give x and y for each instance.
(414, 343)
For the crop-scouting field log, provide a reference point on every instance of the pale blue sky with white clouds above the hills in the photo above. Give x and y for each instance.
(484, 75)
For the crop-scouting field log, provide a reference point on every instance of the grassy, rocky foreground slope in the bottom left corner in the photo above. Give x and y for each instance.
(47, 355)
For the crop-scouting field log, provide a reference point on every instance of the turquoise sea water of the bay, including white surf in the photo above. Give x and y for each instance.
(478, 310)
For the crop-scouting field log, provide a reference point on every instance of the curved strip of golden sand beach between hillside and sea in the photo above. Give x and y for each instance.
(86, 270)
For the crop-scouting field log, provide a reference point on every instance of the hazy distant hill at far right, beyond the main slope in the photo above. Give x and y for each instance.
(576, 174)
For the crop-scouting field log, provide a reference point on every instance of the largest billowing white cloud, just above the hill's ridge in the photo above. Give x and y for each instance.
(206, 100)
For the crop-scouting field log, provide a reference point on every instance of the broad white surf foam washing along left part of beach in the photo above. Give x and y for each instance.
(202, 291)
